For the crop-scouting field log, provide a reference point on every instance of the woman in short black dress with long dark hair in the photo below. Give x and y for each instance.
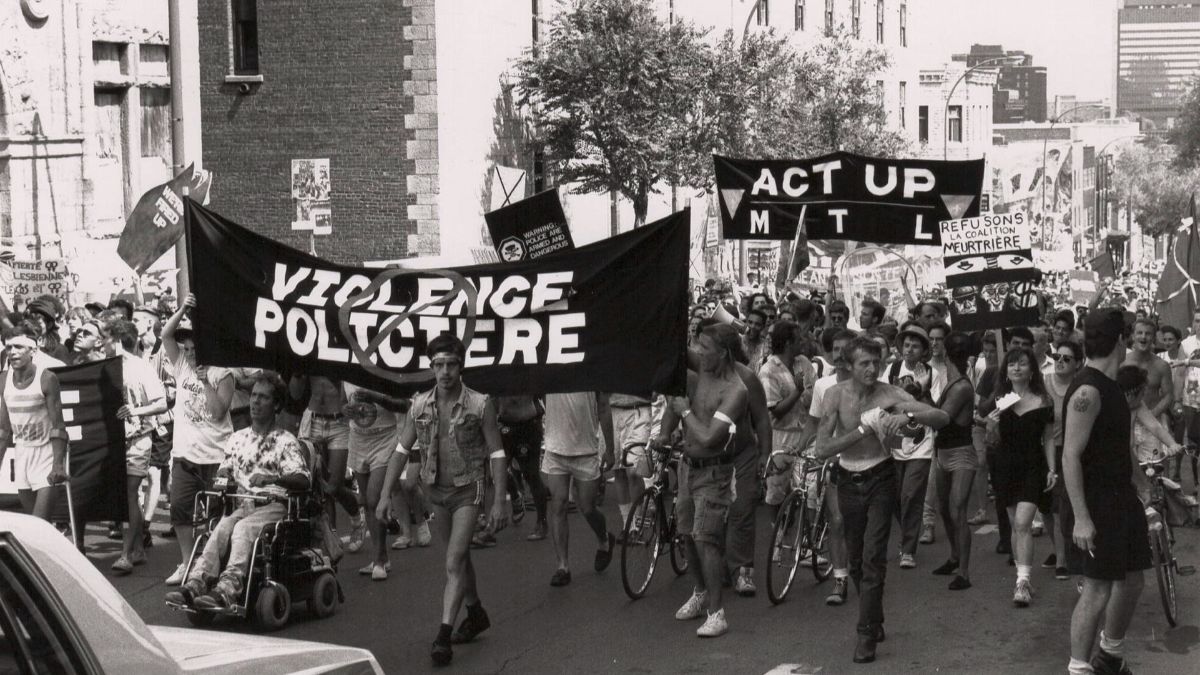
(1022, 463)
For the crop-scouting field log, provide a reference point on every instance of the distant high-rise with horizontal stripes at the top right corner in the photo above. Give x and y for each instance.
(1159, 56)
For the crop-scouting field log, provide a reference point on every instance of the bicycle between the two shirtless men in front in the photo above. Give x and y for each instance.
(801, 530)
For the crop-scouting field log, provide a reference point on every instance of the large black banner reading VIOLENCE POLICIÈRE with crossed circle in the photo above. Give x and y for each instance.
(610, 316)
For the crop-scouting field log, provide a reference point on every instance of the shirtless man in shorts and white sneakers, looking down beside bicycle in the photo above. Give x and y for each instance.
(717, 397)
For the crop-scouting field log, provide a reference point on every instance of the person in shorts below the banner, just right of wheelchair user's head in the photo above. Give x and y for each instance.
(328, 429)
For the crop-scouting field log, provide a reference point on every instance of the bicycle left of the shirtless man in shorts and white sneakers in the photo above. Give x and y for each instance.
(651, 528)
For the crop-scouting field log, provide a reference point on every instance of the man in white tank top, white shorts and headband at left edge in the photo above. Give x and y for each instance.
(32, 422)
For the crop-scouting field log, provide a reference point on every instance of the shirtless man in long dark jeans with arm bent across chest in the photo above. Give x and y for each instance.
(854, 425)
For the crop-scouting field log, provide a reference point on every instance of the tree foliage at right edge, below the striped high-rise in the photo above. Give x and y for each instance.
(1157, 189)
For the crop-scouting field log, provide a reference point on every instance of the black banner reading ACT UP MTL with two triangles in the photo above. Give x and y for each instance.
(847, 196)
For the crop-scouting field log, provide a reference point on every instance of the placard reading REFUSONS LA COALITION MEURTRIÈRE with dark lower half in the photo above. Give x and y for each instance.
(991, 272)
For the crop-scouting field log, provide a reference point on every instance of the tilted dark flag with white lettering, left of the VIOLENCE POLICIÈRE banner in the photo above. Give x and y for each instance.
(157, 223)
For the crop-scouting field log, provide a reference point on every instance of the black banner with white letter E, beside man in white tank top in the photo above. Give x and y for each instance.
(92, 396)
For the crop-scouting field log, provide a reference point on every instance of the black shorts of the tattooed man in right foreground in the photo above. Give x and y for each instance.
(1123, 536)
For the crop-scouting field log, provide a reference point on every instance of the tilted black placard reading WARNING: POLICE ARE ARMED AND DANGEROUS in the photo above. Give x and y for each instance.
(531, 229)
